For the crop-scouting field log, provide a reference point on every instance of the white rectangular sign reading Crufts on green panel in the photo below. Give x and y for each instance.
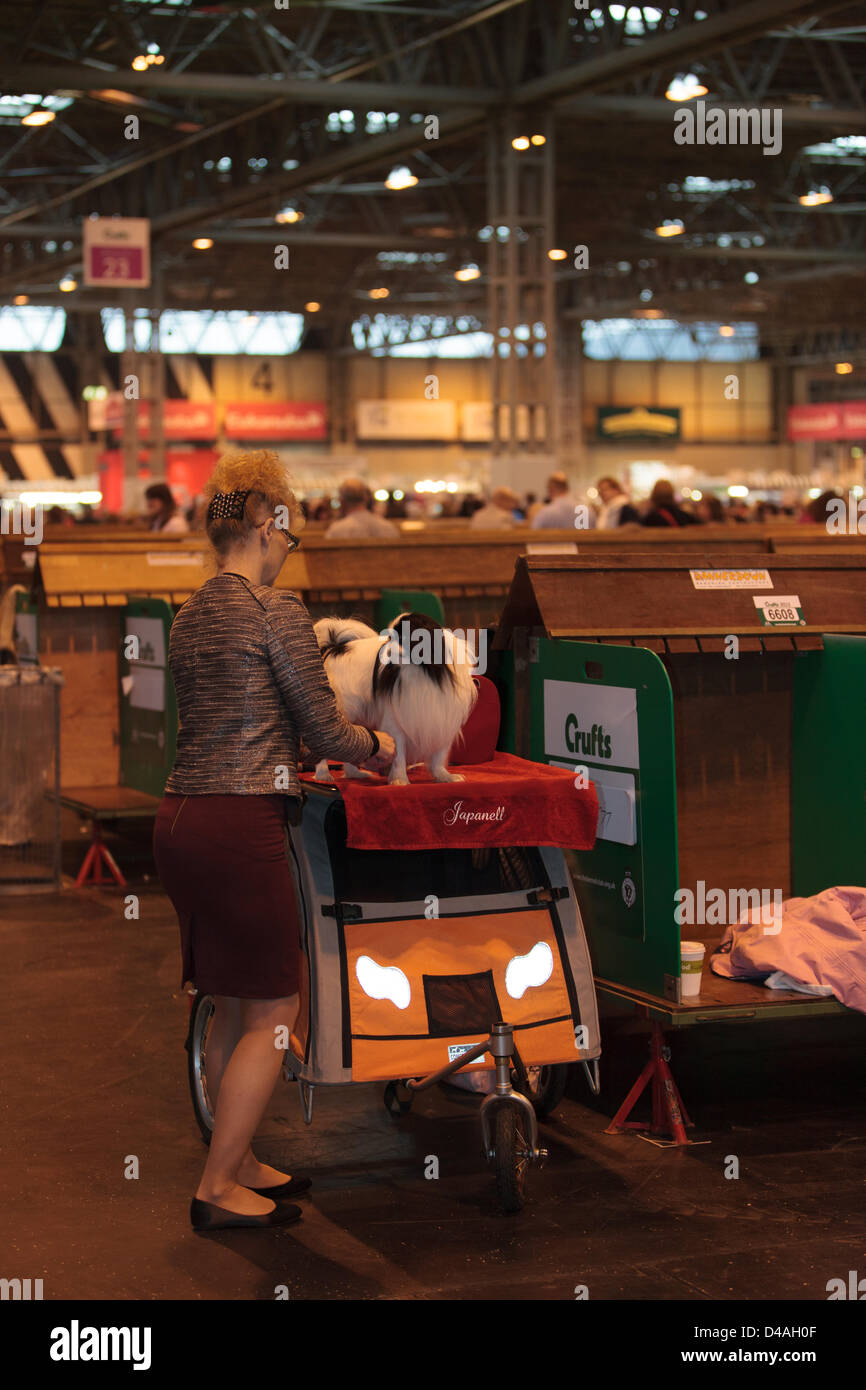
(591, 723)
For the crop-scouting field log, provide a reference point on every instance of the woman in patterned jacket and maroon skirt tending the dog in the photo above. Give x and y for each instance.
(251, 683)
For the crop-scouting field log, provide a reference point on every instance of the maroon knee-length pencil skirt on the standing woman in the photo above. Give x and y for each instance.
(223, 862)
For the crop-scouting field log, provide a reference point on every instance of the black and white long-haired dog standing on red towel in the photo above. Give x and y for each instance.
(414, 682)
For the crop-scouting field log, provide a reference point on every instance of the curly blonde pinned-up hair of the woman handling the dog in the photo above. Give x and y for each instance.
(263, 475)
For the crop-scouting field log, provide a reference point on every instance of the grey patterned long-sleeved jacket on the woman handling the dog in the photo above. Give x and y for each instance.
(251, 685)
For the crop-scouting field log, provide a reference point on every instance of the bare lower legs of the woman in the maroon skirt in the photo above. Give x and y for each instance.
(244, 1092)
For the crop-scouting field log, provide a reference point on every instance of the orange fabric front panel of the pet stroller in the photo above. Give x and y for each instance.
(446, 947)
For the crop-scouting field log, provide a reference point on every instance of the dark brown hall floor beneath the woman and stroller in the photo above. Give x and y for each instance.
(92, 1032)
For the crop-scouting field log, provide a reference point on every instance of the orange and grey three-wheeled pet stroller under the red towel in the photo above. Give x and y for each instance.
(418, 964)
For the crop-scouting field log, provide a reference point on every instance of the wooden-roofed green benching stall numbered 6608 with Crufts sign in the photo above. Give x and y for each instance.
(722, 726)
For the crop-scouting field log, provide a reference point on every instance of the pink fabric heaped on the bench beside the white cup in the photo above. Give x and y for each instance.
(822, 943)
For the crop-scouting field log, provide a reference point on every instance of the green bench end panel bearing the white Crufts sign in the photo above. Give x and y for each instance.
(610, 711)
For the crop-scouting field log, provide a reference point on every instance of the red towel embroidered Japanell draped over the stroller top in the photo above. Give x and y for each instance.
(504, 803)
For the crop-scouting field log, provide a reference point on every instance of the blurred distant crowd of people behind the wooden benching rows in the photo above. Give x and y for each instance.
(355, 512)
